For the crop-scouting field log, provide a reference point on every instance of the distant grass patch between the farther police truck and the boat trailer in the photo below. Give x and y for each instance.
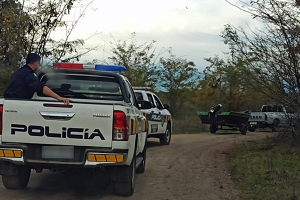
(189, 125)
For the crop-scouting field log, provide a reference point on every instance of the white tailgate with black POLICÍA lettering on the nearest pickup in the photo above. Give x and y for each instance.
(54, 123)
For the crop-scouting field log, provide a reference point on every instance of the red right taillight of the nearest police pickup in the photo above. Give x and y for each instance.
(120, 131)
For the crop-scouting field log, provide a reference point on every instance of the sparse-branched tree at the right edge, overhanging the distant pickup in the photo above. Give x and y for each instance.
(273, 52)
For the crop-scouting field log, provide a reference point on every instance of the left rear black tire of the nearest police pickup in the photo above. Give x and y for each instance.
(19, 181)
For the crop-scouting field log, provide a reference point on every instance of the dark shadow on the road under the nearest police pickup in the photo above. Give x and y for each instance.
(74, 185)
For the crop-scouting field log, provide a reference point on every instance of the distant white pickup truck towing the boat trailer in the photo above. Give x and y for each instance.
(271, 116)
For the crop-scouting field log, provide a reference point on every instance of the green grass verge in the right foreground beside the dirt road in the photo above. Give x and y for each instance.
(263, 170)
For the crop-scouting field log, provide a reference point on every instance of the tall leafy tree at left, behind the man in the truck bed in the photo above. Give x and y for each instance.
(28, 28)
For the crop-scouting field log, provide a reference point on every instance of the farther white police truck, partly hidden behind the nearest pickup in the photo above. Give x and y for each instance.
(159, 118)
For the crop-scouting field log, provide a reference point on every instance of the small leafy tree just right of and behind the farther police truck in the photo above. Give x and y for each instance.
(178, 77)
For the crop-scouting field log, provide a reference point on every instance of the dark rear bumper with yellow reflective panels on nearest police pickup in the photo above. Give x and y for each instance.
(31, 154)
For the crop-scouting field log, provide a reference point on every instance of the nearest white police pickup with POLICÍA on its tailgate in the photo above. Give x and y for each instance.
(102, 127)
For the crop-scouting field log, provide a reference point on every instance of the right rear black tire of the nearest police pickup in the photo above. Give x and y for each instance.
(126, 188)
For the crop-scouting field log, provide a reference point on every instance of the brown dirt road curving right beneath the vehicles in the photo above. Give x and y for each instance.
(192, 167)
